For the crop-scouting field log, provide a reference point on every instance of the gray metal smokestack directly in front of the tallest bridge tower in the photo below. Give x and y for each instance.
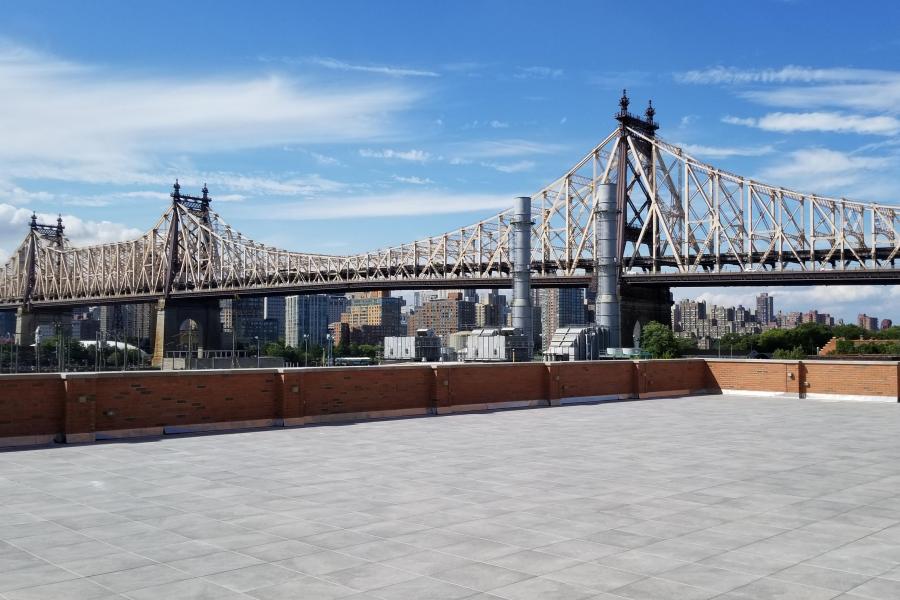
(608, 264)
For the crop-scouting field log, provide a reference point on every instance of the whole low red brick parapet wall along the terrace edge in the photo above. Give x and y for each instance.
(79, 407)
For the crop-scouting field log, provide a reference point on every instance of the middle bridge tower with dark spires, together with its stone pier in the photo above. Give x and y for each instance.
(171, 314)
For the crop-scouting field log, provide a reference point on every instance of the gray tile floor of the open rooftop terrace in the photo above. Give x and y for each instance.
(689, 498)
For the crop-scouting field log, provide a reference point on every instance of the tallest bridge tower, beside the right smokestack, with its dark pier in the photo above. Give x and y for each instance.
(638, 305)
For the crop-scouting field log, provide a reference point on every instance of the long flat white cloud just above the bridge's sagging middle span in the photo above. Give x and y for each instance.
(387, 205)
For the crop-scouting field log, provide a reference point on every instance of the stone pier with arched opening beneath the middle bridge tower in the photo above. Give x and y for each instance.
(171, 315)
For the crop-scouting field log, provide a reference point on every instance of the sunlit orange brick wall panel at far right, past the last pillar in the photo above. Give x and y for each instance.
(855, 379)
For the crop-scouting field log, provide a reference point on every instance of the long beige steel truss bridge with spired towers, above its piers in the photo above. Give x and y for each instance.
(681, 222)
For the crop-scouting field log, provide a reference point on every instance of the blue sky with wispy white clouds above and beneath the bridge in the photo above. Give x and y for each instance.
(344, 126)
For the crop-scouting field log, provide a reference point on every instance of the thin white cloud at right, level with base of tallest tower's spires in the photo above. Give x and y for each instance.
(821, 121)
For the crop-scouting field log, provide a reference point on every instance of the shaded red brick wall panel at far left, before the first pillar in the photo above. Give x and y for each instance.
(31, 405)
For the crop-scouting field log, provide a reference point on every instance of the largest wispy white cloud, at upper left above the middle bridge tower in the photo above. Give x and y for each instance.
(73, 122)
